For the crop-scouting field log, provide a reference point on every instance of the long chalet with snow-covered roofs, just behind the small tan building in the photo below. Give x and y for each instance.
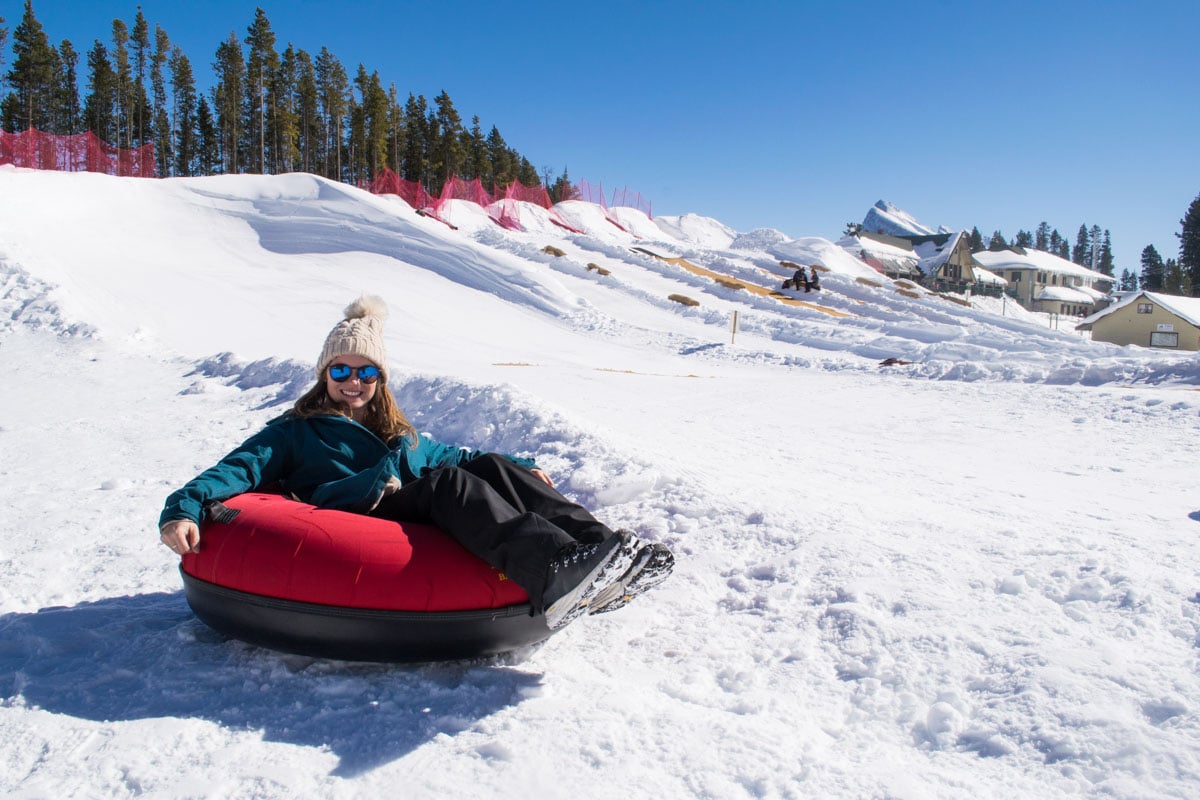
(1045, 282)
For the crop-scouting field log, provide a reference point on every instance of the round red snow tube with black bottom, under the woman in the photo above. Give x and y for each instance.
(293, 578)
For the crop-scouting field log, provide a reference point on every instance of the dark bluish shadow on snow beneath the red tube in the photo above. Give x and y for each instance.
(147, 657)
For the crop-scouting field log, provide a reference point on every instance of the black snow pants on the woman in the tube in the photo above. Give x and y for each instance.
(500, 512)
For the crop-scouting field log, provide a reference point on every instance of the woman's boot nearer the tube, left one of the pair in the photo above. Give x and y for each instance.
(579, 573)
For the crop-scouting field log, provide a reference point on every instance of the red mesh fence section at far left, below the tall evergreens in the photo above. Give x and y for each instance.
(76, 154)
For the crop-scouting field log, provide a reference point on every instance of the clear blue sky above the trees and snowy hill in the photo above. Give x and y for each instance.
(794, 116)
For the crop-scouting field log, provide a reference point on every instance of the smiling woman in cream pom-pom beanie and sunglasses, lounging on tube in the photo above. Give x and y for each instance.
(347, 446)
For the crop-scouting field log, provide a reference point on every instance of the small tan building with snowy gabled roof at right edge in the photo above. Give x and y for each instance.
(1149, 320)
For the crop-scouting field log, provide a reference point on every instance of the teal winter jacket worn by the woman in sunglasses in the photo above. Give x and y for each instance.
(328, 461)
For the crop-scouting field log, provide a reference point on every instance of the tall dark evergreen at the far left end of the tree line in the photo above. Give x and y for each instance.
(35, 79)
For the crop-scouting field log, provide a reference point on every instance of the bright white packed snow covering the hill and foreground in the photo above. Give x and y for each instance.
(974, 574)
